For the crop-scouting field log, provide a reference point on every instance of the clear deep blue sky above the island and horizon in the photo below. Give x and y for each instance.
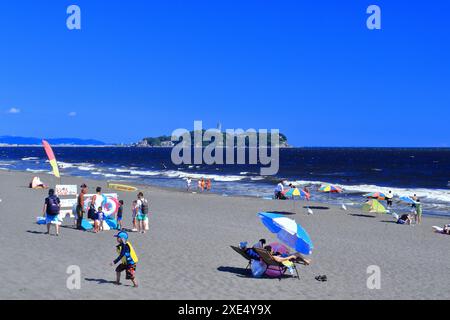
(309, 68)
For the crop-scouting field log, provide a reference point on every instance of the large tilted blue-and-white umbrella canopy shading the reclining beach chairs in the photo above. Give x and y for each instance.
(288, 231)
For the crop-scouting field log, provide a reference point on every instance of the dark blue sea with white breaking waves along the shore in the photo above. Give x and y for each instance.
(425, 172)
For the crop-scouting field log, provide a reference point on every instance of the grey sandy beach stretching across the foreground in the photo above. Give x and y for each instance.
(186, 254)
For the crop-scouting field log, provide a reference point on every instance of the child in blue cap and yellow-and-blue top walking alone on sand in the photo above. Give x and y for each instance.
(127, 257)
